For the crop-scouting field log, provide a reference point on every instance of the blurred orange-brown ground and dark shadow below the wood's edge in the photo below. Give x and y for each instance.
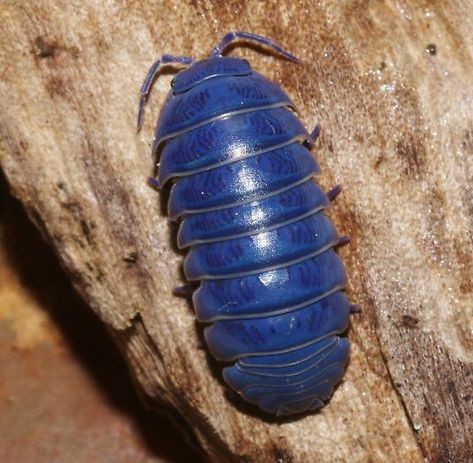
(74, 409)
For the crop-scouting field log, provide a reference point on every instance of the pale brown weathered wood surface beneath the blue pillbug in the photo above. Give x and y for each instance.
(392, 85)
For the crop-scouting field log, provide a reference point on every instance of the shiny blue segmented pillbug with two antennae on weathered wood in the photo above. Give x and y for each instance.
(271, 284)
